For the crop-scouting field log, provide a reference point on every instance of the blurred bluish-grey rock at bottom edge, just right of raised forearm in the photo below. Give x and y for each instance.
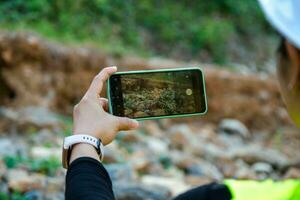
(138, 191)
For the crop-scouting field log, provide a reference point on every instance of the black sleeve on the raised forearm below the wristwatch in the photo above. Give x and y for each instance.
(88, 179)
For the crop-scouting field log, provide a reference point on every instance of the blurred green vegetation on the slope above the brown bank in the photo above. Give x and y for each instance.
(184, 29)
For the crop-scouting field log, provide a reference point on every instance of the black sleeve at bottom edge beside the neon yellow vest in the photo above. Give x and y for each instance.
(211, 191)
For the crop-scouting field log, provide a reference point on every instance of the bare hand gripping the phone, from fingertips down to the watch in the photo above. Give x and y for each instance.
(90, 115)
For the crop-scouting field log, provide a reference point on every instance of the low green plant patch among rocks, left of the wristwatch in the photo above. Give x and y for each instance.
(46, 166)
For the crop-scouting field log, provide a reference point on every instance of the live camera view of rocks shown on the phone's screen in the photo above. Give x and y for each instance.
(162, 93)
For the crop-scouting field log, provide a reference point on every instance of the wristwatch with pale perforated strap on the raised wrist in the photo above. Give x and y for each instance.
(75, 139)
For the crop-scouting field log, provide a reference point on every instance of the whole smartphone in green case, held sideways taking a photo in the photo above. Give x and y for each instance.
(156, 94)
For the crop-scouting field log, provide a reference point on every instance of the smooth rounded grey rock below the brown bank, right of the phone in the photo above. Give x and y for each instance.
(233, 126)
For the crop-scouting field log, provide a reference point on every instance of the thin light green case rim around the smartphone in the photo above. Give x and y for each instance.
(160, 70)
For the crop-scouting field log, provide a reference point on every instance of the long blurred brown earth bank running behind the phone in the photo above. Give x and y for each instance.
(24, 64)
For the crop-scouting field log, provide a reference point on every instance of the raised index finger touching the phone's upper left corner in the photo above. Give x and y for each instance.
(98, 81)
